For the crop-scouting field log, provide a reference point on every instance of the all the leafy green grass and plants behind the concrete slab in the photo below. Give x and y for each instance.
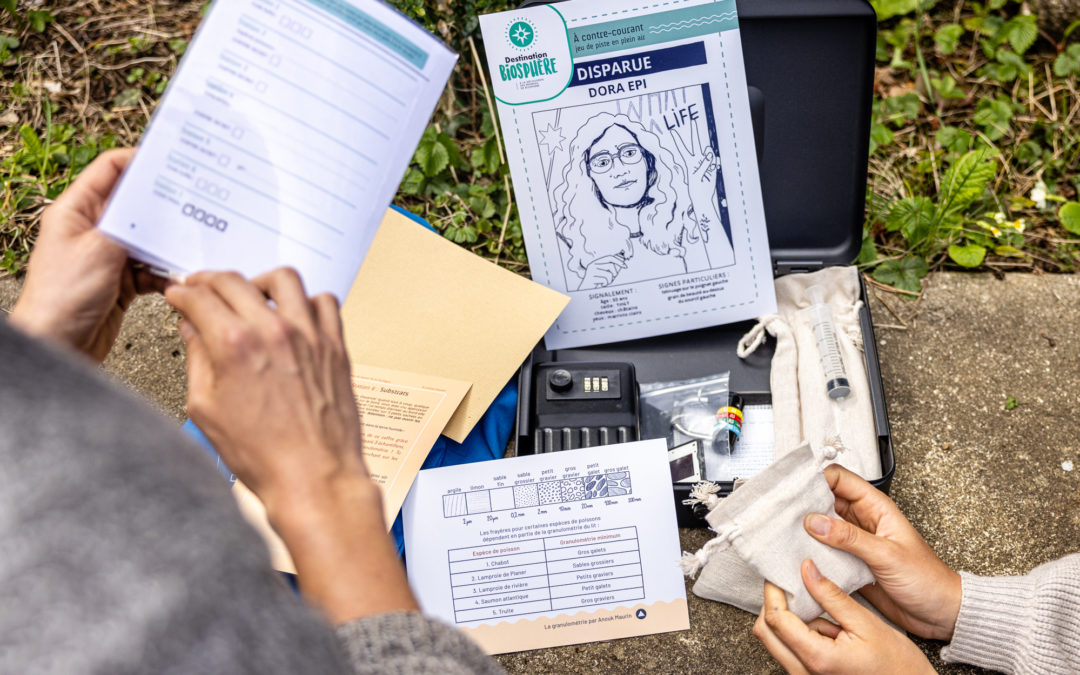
(974, 161)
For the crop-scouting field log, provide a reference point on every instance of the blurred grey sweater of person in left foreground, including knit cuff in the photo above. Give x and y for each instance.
(121, 550)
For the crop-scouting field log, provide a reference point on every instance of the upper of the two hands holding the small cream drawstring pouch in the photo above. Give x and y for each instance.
(914, 588)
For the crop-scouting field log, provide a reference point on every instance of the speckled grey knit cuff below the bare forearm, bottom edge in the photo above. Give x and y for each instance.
(411, 644)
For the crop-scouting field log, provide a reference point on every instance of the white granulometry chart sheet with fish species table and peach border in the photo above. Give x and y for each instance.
(549, 550)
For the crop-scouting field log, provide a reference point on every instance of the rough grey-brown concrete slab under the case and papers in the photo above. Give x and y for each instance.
(988, 487)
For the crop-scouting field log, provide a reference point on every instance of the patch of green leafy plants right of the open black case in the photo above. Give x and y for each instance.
(976, 143)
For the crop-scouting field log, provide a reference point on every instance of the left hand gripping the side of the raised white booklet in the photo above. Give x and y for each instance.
(80, 283)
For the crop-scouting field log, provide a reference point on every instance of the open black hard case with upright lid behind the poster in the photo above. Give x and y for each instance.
(811, 72)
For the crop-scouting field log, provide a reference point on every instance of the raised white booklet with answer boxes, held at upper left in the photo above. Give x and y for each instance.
(281, 140)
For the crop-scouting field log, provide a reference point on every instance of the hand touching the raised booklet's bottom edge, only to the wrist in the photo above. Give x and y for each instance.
(269, 388)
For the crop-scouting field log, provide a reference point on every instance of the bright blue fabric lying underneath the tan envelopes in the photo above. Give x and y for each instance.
(487, 441)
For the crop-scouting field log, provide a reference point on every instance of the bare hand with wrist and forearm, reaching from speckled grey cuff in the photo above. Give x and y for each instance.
(272, 389)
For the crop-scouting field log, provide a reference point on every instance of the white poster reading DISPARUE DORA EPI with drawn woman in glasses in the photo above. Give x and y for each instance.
(629, 133)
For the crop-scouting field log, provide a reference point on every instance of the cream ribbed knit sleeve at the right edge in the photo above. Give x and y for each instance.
(1021, 625)
